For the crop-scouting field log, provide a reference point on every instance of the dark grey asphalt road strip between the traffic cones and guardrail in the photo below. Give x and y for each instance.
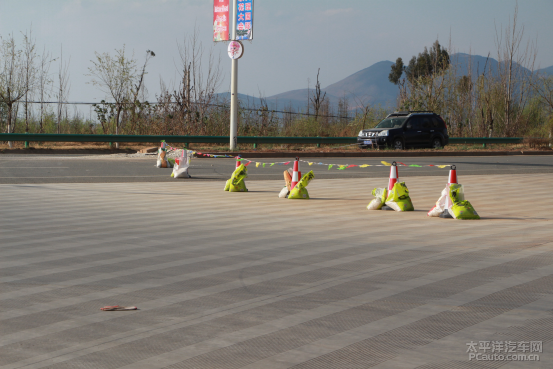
(101, 169)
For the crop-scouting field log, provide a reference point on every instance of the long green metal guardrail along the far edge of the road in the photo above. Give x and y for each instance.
(255, 140)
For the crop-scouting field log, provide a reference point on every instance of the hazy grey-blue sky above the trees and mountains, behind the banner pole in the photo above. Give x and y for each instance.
(292, 37)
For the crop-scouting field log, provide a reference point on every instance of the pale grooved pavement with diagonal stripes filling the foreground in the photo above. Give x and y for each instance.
(247, 280)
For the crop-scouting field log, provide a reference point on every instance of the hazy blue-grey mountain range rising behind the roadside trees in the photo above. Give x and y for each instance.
(369, 85)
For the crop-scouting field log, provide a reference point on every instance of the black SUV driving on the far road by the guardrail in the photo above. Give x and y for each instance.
(406, 129)
